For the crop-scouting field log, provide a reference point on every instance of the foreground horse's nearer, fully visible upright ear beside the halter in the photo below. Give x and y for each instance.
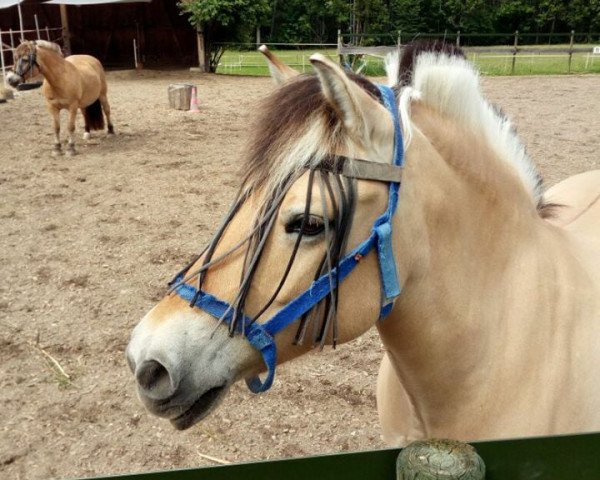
(360, 113)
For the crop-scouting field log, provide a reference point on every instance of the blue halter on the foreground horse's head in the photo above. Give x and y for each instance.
(261, 336)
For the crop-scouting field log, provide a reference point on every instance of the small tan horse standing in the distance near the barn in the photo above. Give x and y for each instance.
(76, 82)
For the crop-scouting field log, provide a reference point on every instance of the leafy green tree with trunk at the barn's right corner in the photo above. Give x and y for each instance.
(224, 21)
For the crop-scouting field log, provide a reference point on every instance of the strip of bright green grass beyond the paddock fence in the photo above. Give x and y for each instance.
(253, 63)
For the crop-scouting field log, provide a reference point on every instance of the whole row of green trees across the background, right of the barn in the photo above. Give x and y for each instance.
(317, 21)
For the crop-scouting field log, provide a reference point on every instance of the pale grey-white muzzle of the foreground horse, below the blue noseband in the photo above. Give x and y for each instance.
(181, 371)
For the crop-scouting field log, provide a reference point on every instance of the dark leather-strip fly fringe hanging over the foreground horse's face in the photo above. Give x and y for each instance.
(341, 193)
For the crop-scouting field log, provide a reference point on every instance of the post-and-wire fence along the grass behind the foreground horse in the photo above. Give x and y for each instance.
(494, 54)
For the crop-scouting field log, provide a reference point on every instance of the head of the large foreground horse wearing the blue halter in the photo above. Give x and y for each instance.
(317, 179)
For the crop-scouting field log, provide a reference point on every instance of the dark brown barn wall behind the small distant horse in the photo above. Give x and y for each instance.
(107, 31)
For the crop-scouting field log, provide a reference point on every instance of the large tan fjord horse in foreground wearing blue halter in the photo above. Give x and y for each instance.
(486, 296)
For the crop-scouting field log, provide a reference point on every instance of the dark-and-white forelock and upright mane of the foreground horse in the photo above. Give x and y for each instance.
(297, 127)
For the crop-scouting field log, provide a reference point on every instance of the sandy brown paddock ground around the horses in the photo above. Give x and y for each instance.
(86, 247)
